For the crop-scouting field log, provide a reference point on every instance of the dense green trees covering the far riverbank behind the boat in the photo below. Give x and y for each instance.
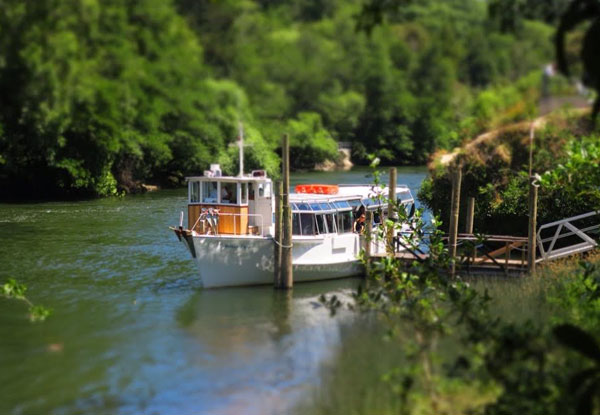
(101, 96)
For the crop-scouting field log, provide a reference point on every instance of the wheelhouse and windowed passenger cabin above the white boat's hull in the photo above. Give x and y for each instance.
(243, 205)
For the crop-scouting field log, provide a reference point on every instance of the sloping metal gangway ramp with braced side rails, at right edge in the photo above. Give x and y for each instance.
(568, 236)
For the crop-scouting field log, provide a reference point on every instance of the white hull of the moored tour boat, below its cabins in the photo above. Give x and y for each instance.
(237, 261)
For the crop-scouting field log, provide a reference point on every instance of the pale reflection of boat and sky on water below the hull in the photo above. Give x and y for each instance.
(263, 345)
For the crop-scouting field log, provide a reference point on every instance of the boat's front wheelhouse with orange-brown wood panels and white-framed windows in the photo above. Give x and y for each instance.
(230, 205)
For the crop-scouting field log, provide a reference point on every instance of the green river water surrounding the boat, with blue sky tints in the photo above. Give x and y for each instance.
(133, 332)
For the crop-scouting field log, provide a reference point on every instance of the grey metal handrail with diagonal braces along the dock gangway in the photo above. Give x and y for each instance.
(547, 245)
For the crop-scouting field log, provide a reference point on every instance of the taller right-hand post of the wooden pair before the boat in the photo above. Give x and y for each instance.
(287, 276)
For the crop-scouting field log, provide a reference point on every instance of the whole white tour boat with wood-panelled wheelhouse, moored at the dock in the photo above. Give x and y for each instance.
(231, 226)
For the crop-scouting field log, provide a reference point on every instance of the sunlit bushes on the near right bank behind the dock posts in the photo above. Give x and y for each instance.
(495, 172)
